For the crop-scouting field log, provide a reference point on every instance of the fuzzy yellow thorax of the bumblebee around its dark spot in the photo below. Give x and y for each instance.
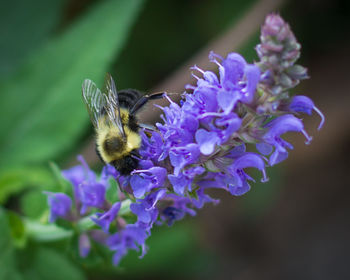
(107, 130)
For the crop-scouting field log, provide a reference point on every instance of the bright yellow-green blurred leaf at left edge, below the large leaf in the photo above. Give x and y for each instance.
(16, 179)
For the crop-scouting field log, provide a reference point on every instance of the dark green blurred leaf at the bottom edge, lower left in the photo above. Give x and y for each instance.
(50, 264)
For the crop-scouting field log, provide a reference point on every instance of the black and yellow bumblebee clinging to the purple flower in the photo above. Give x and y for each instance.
(113, 115)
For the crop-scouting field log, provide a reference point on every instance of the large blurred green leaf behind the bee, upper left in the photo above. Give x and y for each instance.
(43, 100)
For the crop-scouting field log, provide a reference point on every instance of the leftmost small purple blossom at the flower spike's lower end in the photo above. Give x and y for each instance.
(60, 205)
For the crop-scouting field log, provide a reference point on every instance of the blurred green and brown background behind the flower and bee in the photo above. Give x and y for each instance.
(294, 227)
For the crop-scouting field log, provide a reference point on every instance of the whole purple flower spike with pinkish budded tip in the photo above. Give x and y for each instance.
(224, 124)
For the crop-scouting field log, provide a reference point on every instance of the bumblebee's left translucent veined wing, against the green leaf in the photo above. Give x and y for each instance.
(94, 100)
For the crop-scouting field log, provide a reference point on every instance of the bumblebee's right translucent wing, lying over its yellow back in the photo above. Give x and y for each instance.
(112, 104)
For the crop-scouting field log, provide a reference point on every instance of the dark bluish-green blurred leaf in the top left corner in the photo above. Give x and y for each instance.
(25, 28)
